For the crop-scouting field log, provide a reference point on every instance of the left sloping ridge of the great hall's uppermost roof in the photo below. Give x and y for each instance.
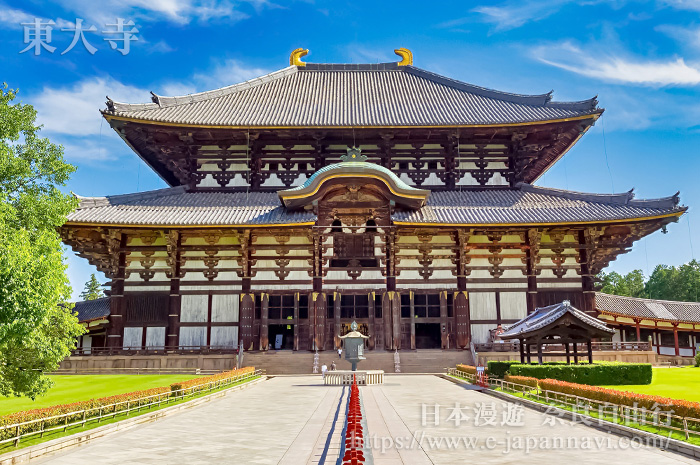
(164, 101)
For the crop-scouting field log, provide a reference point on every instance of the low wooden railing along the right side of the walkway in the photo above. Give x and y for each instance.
(661, 420)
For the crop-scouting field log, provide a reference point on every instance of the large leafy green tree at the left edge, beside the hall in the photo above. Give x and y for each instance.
(37, 328)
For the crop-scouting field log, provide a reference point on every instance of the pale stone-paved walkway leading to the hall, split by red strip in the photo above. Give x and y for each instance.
(296, 420)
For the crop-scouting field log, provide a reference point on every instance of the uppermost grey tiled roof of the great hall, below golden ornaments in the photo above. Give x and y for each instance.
(329, 95)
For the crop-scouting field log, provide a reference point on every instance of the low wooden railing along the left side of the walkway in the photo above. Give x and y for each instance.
(40, 426)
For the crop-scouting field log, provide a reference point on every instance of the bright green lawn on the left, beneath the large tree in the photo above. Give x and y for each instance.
(73, 388)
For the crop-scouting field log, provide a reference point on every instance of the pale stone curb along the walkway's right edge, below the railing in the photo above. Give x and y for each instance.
(673, 445)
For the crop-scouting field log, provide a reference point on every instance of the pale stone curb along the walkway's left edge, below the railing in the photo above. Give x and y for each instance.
(78, 439)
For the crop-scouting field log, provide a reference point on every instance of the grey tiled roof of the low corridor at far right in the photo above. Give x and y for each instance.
(663, 310)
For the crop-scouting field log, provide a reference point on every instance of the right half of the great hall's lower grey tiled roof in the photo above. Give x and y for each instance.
(527, 204)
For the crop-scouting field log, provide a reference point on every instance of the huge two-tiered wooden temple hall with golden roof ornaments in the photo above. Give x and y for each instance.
(320, 194)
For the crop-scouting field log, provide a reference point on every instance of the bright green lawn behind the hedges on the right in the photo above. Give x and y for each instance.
(676, 383)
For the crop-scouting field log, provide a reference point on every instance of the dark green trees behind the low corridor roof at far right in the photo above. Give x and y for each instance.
(680, 283)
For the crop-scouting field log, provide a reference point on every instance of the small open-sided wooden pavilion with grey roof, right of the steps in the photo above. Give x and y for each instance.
(560, 325)
